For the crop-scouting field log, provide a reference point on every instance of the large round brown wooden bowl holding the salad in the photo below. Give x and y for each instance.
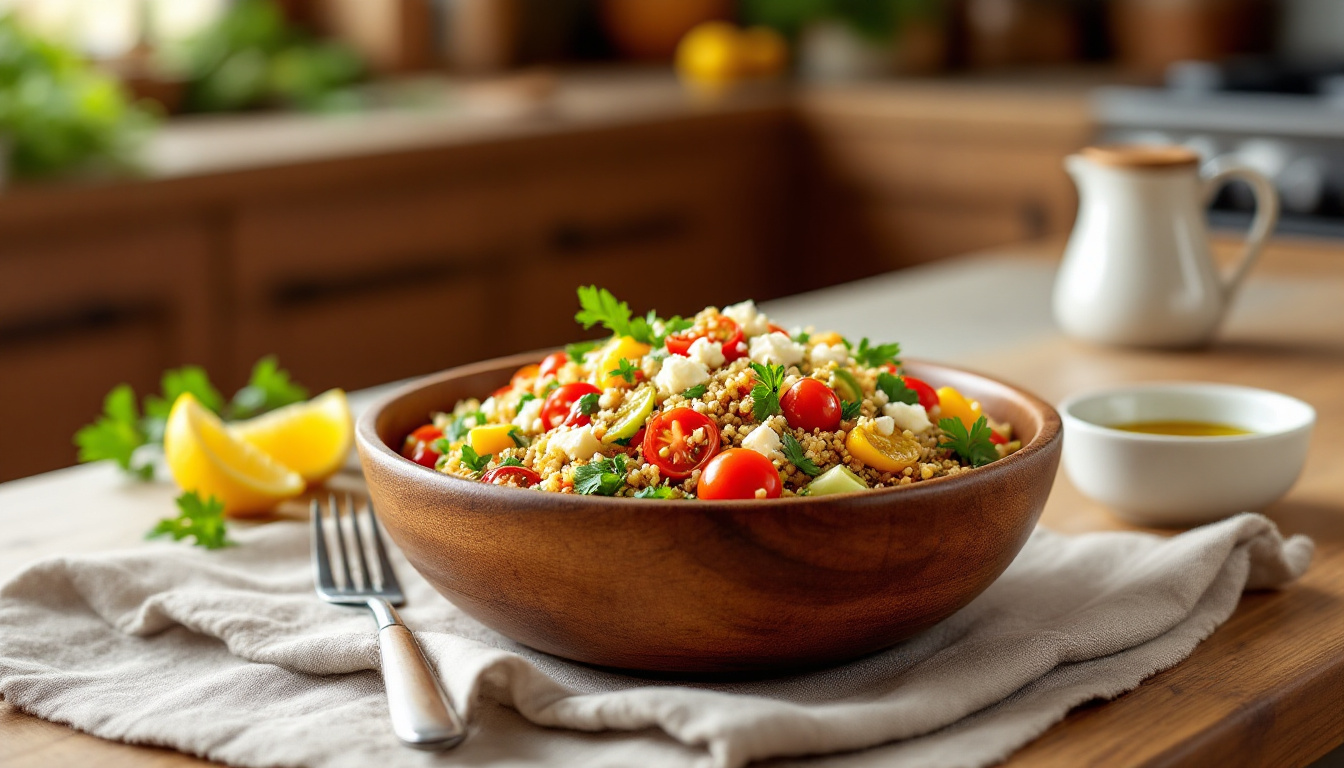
(708, 587)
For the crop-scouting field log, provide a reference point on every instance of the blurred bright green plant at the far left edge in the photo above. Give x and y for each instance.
(57, 114)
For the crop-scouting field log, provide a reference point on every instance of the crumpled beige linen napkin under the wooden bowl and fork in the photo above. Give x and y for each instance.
(229, 656)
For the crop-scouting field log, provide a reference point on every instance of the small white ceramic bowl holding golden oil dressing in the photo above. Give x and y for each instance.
(1175, 481)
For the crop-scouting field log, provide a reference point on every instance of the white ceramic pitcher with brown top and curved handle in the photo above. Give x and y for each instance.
(1139, 270)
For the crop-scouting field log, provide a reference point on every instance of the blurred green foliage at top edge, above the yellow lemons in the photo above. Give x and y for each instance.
(877, 21)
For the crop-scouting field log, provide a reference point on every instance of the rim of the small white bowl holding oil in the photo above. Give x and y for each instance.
(1080, 424)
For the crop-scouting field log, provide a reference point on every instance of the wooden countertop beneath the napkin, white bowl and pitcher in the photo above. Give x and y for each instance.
(1265, 689)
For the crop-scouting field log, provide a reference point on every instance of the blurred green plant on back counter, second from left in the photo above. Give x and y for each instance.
(252, 59)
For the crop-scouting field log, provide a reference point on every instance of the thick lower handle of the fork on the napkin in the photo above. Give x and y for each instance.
(423, 716)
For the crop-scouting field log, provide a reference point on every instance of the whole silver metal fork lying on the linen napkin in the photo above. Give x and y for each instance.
(423, 715)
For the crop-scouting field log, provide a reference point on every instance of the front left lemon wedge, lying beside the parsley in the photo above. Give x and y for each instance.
(205, 457)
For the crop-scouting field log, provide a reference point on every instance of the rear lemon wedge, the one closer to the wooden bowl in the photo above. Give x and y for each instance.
(311, 439)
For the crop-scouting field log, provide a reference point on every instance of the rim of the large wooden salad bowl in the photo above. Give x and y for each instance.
(368, 439)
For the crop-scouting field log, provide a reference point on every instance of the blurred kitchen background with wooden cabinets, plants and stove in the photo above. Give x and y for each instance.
(380, 189)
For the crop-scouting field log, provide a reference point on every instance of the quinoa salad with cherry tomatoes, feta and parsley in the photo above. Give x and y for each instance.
(722, 406)
